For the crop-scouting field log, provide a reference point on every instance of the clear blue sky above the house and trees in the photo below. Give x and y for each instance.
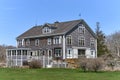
(17, 16)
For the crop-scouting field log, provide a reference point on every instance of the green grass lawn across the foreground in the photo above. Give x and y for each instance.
(55, 74)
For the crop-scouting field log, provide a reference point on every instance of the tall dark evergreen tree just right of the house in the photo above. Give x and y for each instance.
(101, 47)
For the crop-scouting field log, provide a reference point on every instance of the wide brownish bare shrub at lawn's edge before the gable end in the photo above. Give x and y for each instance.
(91, 64)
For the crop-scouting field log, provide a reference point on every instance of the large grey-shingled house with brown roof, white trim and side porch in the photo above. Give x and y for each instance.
(50, 42)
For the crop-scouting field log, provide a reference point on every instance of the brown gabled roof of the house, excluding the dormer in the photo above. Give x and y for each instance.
(61, 29)
